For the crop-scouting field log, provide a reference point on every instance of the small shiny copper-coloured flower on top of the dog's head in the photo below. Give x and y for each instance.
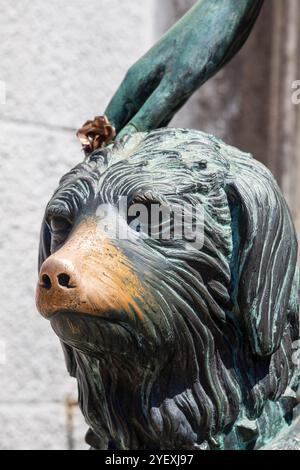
(96, 134)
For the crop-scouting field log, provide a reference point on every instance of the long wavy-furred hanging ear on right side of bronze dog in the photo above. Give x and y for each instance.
(267, 256)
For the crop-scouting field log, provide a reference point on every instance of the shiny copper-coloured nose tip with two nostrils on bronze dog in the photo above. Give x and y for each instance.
(57, 274)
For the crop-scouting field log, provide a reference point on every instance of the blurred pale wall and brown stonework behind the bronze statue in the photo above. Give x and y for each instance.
(60, 63)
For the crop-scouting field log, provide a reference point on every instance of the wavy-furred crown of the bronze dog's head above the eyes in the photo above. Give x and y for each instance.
(170, 160)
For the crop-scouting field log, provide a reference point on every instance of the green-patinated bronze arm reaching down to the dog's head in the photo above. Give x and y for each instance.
(189, 54)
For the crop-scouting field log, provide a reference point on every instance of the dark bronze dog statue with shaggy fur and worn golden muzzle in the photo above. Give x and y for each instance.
(174, 347)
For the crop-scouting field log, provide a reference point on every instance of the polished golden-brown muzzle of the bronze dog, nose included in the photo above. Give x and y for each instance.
(101, 276)
